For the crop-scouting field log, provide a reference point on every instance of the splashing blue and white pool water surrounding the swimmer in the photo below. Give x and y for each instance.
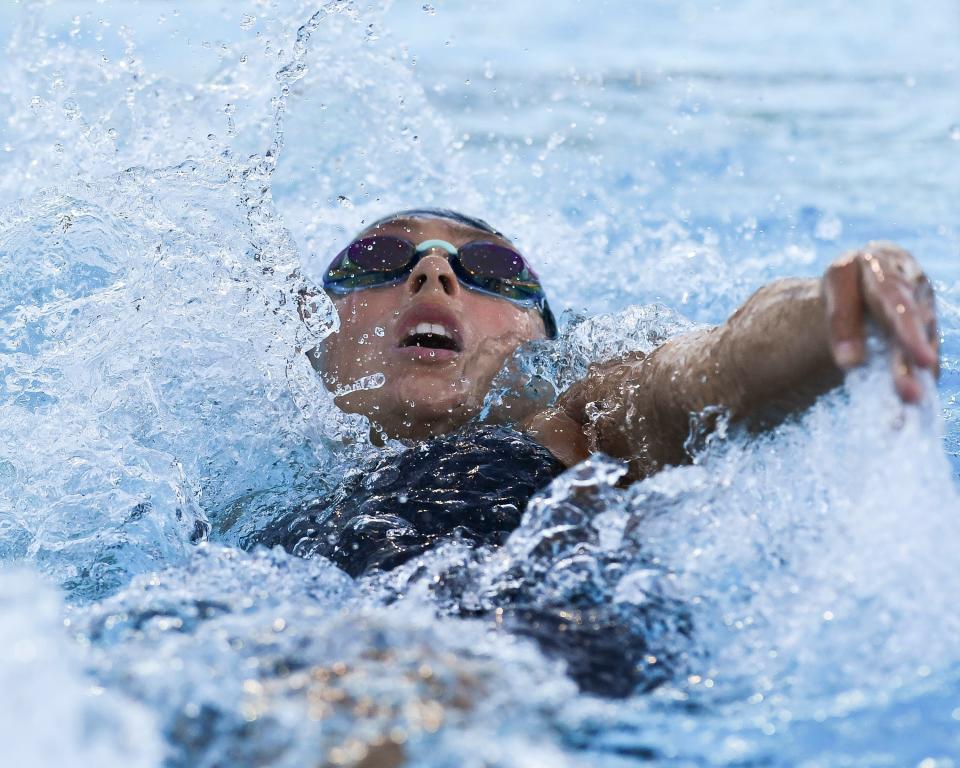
(171, 177)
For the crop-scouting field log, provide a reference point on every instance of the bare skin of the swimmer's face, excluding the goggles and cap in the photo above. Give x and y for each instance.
(428, 390)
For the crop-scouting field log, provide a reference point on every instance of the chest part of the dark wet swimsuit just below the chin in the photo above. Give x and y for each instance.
(472, 485)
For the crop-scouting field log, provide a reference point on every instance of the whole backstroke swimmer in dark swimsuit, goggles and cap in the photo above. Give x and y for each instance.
(438, 302)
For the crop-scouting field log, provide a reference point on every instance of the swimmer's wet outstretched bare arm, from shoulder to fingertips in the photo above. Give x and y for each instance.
(789, 343)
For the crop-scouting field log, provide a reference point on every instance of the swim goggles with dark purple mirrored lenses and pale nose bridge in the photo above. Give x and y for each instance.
(381, 260)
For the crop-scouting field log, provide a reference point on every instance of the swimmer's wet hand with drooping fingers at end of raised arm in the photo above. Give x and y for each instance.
(886, 282)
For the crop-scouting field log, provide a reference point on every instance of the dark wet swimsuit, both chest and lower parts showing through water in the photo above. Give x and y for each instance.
(474, 486)
